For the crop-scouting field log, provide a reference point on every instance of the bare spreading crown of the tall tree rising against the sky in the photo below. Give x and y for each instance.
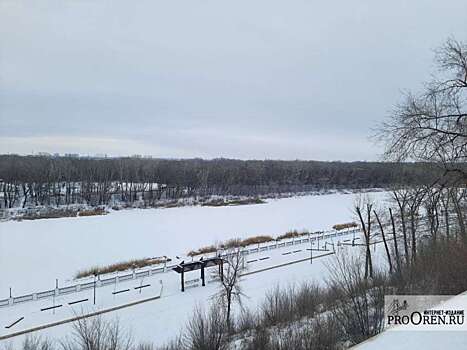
(432, 126)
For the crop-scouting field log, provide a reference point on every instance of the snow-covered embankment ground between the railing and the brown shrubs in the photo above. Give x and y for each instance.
(161, 319)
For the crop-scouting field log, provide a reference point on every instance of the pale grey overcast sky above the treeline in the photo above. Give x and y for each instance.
(241, 79)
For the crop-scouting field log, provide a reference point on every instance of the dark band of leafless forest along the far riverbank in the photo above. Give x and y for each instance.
(54, 180)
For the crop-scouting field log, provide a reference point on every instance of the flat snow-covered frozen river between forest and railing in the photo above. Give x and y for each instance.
(34, 253)
